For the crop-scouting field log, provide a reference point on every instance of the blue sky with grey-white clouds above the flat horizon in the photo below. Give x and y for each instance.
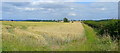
(59, 10)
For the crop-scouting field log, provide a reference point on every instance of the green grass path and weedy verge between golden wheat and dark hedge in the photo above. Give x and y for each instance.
(91, 42)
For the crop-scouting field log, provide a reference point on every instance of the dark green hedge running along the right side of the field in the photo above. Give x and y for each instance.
(108, 27)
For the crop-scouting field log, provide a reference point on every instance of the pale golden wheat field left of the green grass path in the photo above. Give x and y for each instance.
(39, 35)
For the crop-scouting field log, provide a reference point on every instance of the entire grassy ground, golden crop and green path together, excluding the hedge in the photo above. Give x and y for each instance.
(53, 36)
